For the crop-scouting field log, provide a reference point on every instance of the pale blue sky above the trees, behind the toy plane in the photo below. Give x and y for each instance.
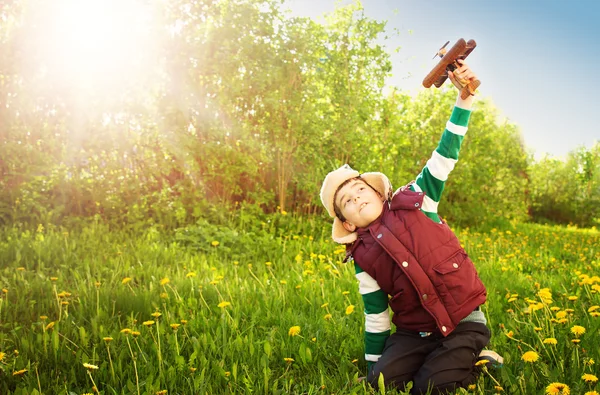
(537, 60)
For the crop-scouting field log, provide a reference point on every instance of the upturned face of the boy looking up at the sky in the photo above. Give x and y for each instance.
(359, 204)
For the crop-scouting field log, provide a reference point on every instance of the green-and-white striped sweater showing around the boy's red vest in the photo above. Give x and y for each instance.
(431, 180)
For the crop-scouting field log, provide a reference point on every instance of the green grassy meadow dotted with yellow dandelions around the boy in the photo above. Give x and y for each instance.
(269, 309)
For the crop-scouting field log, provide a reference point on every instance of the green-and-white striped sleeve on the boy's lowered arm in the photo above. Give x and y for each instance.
(377, 318)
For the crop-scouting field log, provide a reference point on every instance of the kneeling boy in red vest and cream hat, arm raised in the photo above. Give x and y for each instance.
(402, 248)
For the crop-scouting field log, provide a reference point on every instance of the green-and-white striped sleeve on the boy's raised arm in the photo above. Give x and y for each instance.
(433, 177)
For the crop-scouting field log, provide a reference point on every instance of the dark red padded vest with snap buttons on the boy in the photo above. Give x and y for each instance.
(432, 282)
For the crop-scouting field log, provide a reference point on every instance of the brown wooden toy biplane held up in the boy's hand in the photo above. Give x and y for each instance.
(439, 74)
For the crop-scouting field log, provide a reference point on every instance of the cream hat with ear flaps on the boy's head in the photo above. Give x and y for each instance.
(332, 182)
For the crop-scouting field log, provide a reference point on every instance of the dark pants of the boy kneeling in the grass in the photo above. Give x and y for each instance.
(436, 363)
